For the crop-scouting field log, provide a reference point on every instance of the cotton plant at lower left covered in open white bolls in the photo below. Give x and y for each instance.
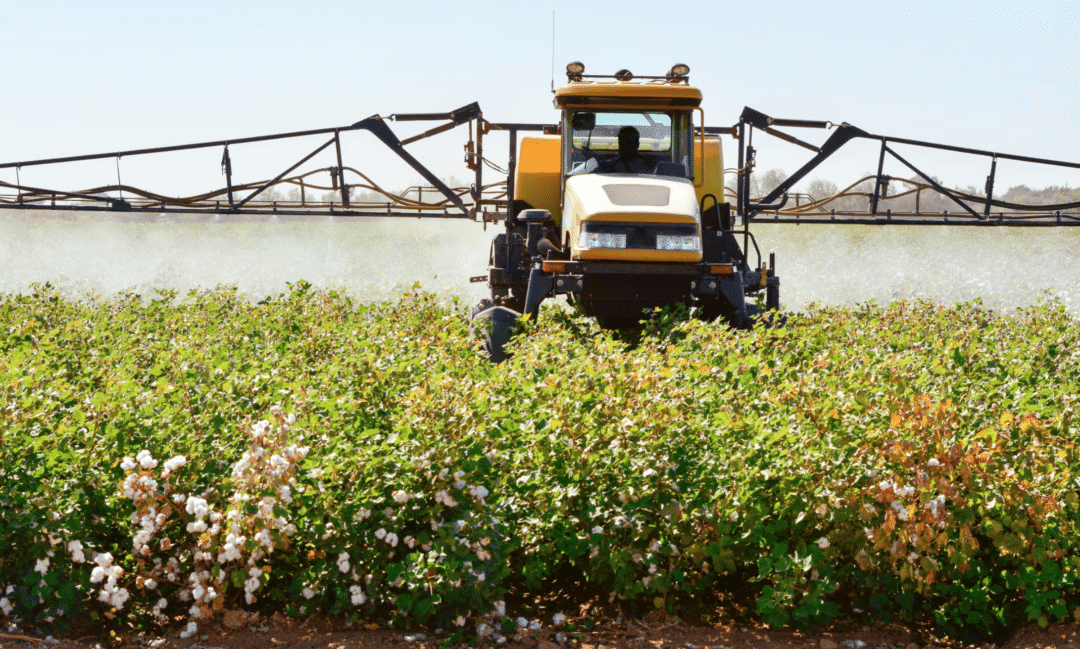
(198, 548)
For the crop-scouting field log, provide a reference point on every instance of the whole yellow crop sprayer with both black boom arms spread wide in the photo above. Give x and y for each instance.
(620, 207)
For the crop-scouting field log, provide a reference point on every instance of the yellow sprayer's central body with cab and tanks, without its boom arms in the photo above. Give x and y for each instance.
(623, 212)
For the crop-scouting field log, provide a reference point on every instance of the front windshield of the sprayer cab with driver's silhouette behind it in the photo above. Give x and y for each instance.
(653, 143)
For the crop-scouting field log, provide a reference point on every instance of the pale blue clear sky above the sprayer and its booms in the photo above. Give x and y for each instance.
(93, 77)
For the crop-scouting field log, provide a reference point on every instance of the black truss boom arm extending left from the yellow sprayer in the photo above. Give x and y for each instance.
(478, 202)
